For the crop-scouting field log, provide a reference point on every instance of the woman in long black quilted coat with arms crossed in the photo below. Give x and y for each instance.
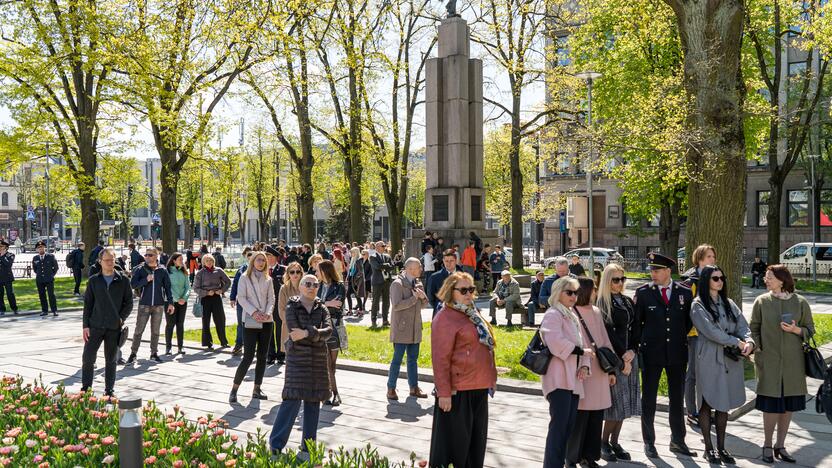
(306, 378)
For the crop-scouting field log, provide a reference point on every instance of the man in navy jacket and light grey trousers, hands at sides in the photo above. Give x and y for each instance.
(153, 285)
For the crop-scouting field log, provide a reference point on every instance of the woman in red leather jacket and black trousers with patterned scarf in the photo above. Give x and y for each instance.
(464, 373)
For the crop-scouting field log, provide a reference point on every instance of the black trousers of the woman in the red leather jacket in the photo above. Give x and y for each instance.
(459, 436)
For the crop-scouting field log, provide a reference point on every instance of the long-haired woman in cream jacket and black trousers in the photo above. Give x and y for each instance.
(256, 297)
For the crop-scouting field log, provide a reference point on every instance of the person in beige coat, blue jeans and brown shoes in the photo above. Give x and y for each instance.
(407, 297)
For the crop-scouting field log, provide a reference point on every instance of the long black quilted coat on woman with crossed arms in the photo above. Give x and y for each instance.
(306, 376)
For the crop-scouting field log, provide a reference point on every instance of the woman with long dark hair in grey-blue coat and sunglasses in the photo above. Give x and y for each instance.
(720, 379)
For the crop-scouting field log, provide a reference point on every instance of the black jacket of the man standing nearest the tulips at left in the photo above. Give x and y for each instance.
(103, 312)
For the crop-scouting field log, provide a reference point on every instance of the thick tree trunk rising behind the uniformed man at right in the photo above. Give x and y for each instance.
(711, 36)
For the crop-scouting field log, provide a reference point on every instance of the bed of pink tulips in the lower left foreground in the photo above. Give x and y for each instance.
(54, 428)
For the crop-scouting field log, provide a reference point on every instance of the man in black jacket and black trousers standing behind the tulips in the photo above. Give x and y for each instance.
(108, 302)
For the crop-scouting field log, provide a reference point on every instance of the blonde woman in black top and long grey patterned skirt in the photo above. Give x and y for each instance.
(622, 328)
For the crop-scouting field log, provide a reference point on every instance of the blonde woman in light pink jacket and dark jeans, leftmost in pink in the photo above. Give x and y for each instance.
(570, 364)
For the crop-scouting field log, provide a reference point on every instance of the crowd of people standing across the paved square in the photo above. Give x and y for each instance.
(608, 350)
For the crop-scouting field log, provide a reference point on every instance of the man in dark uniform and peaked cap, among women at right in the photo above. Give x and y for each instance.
(662, 310)
